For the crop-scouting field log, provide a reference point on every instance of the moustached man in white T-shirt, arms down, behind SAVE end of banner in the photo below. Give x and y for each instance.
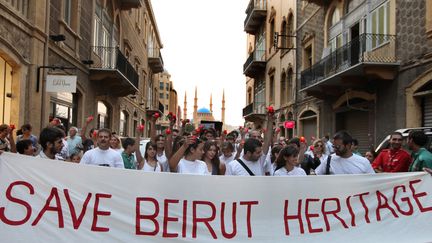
(103, 155)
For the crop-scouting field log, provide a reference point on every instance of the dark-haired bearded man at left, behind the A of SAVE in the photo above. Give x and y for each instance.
(51, 140)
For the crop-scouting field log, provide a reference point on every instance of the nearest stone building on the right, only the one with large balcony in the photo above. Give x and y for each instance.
(367, 58)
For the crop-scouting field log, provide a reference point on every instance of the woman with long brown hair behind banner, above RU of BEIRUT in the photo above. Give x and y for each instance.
(210, 157)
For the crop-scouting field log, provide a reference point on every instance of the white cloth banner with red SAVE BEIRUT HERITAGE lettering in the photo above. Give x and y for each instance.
(53, 201)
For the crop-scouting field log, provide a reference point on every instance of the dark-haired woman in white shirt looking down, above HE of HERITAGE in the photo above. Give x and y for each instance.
(287, 162)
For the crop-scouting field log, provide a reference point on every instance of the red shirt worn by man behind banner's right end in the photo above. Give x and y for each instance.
(390, 160)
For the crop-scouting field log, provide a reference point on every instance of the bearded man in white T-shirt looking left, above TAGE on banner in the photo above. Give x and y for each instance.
(344, 161)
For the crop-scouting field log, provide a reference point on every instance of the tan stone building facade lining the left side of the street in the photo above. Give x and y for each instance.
(112, 46)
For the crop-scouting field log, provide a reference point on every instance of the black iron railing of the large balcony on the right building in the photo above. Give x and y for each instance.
(367, 48)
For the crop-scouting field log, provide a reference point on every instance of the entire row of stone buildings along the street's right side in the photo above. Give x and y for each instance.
(358, 65)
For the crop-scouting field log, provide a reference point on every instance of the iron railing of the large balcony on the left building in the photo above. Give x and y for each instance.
(112, 58)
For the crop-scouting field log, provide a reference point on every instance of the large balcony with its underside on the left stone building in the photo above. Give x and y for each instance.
(112, 73)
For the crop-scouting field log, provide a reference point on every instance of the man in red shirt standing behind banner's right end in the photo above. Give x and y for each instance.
(394, 159)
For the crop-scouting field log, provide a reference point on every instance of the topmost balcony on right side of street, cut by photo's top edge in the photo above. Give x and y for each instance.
(256, 13)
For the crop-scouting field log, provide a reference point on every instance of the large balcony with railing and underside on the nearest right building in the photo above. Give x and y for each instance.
(357, 64)
